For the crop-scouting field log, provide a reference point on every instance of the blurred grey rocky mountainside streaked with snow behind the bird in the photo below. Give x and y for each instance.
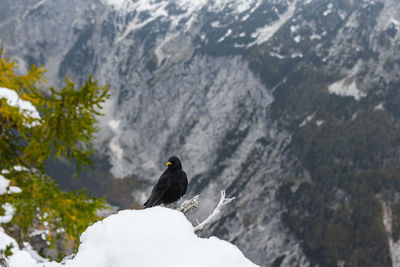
(236, 89)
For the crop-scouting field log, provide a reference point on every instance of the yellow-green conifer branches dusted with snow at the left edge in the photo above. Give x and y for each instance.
(64, 130)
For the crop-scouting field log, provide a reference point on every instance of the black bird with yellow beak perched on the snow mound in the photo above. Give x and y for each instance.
(170, 187)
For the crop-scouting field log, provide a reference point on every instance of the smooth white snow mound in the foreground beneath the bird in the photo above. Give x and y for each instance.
(149, 238)
